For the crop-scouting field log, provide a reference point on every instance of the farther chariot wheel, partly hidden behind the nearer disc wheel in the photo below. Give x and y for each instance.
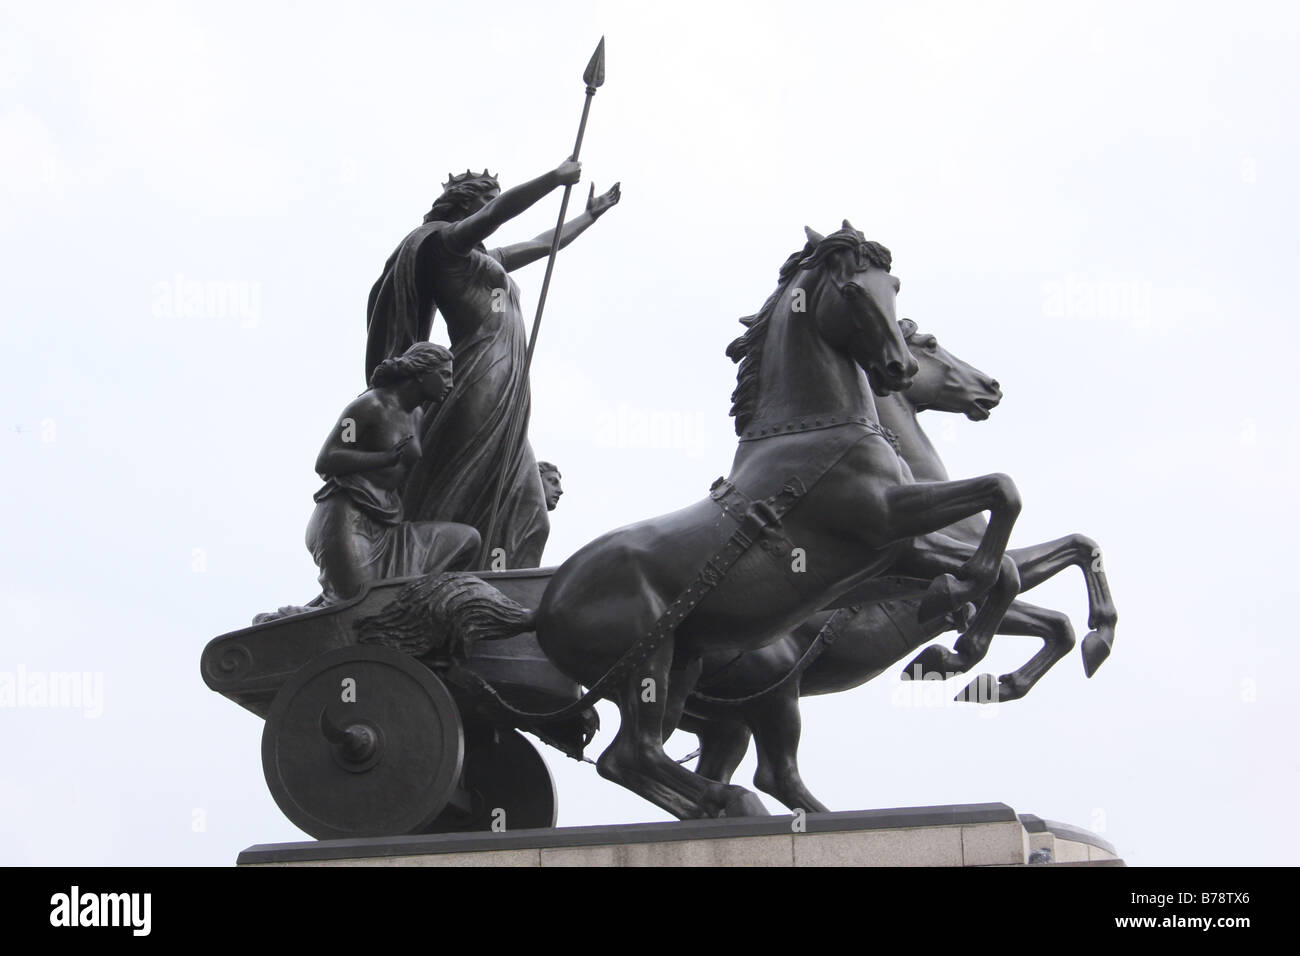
(509, 785)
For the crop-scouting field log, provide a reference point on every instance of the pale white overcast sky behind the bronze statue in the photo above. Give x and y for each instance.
(1024, 163)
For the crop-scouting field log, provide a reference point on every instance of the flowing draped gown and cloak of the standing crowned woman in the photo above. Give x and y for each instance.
(466, 444)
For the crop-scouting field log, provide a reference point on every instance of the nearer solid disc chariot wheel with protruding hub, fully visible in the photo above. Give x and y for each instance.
(363, 742)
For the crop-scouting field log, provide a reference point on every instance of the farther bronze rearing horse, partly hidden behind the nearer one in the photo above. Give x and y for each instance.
(768, 684)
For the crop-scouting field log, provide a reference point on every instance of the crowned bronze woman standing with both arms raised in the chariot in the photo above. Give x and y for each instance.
(444, 266)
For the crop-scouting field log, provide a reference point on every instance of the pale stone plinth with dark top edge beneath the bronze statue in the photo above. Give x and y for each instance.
(967, 836)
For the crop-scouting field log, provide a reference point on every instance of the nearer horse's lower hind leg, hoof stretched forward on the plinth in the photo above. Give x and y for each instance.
(636, 758)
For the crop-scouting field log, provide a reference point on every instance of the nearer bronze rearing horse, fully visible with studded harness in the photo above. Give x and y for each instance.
(817, 503)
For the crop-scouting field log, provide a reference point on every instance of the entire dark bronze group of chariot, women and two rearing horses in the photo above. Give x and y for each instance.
(834, 548)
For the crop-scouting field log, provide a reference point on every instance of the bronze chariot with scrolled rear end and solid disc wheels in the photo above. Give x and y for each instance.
(366, 741)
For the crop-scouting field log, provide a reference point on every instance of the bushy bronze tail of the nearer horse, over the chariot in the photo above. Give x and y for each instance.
(445, 613)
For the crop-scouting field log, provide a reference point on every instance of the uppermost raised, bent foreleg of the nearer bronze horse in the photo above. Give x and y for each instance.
(929, 507)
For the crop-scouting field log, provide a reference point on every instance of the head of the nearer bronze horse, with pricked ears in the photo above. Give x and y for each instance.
(856, 312)
